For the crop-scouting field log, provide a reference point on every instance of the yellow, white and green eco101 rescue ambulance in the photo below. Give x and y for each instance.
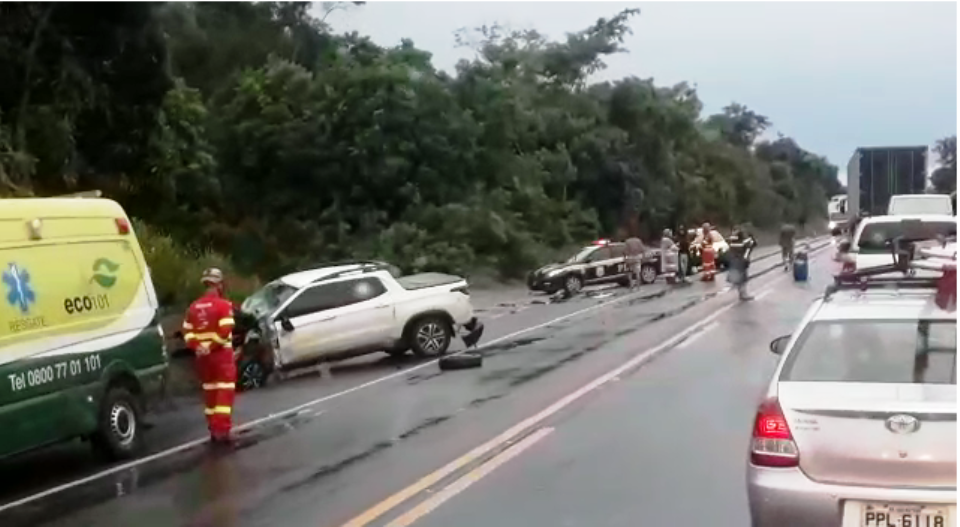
(81, 349)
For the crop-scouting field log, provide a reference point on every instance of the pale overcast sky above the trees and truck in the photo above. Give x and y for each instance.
(834, 76)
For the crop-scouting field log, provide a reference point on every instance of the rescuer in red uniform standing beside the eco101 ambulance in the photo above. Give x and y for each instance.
(208, 328)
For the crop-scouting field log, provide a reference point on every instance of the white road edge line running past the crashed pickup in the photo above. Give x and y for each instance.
(196, 442)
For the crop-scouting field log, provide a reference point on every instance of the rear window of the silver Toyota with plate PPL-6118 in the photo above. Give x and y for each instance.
(872, 351)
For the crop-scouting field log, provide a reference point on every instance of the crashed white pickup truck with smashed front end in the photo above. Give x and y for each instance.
(351, 309)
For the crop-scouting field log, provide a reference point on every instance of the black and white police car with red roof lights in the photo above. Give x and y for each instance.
(601, 262)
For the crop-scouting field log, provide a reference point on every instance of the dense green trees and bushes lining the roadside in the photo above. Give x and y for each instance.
(252, 130)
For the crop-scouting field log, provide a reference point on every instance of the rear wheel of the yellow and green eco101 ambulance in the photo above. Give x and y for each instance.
(119, 426)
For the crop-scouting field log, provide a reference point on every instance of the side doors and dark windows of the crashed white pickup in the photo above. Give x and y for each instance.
(334, 316)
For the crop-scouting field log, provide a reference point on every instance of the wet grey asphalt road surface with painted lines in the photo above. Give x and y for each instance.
(335, 458)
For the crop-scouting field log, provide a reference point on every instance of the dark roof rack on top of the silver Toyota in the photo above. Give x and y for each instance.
(929, 254)
